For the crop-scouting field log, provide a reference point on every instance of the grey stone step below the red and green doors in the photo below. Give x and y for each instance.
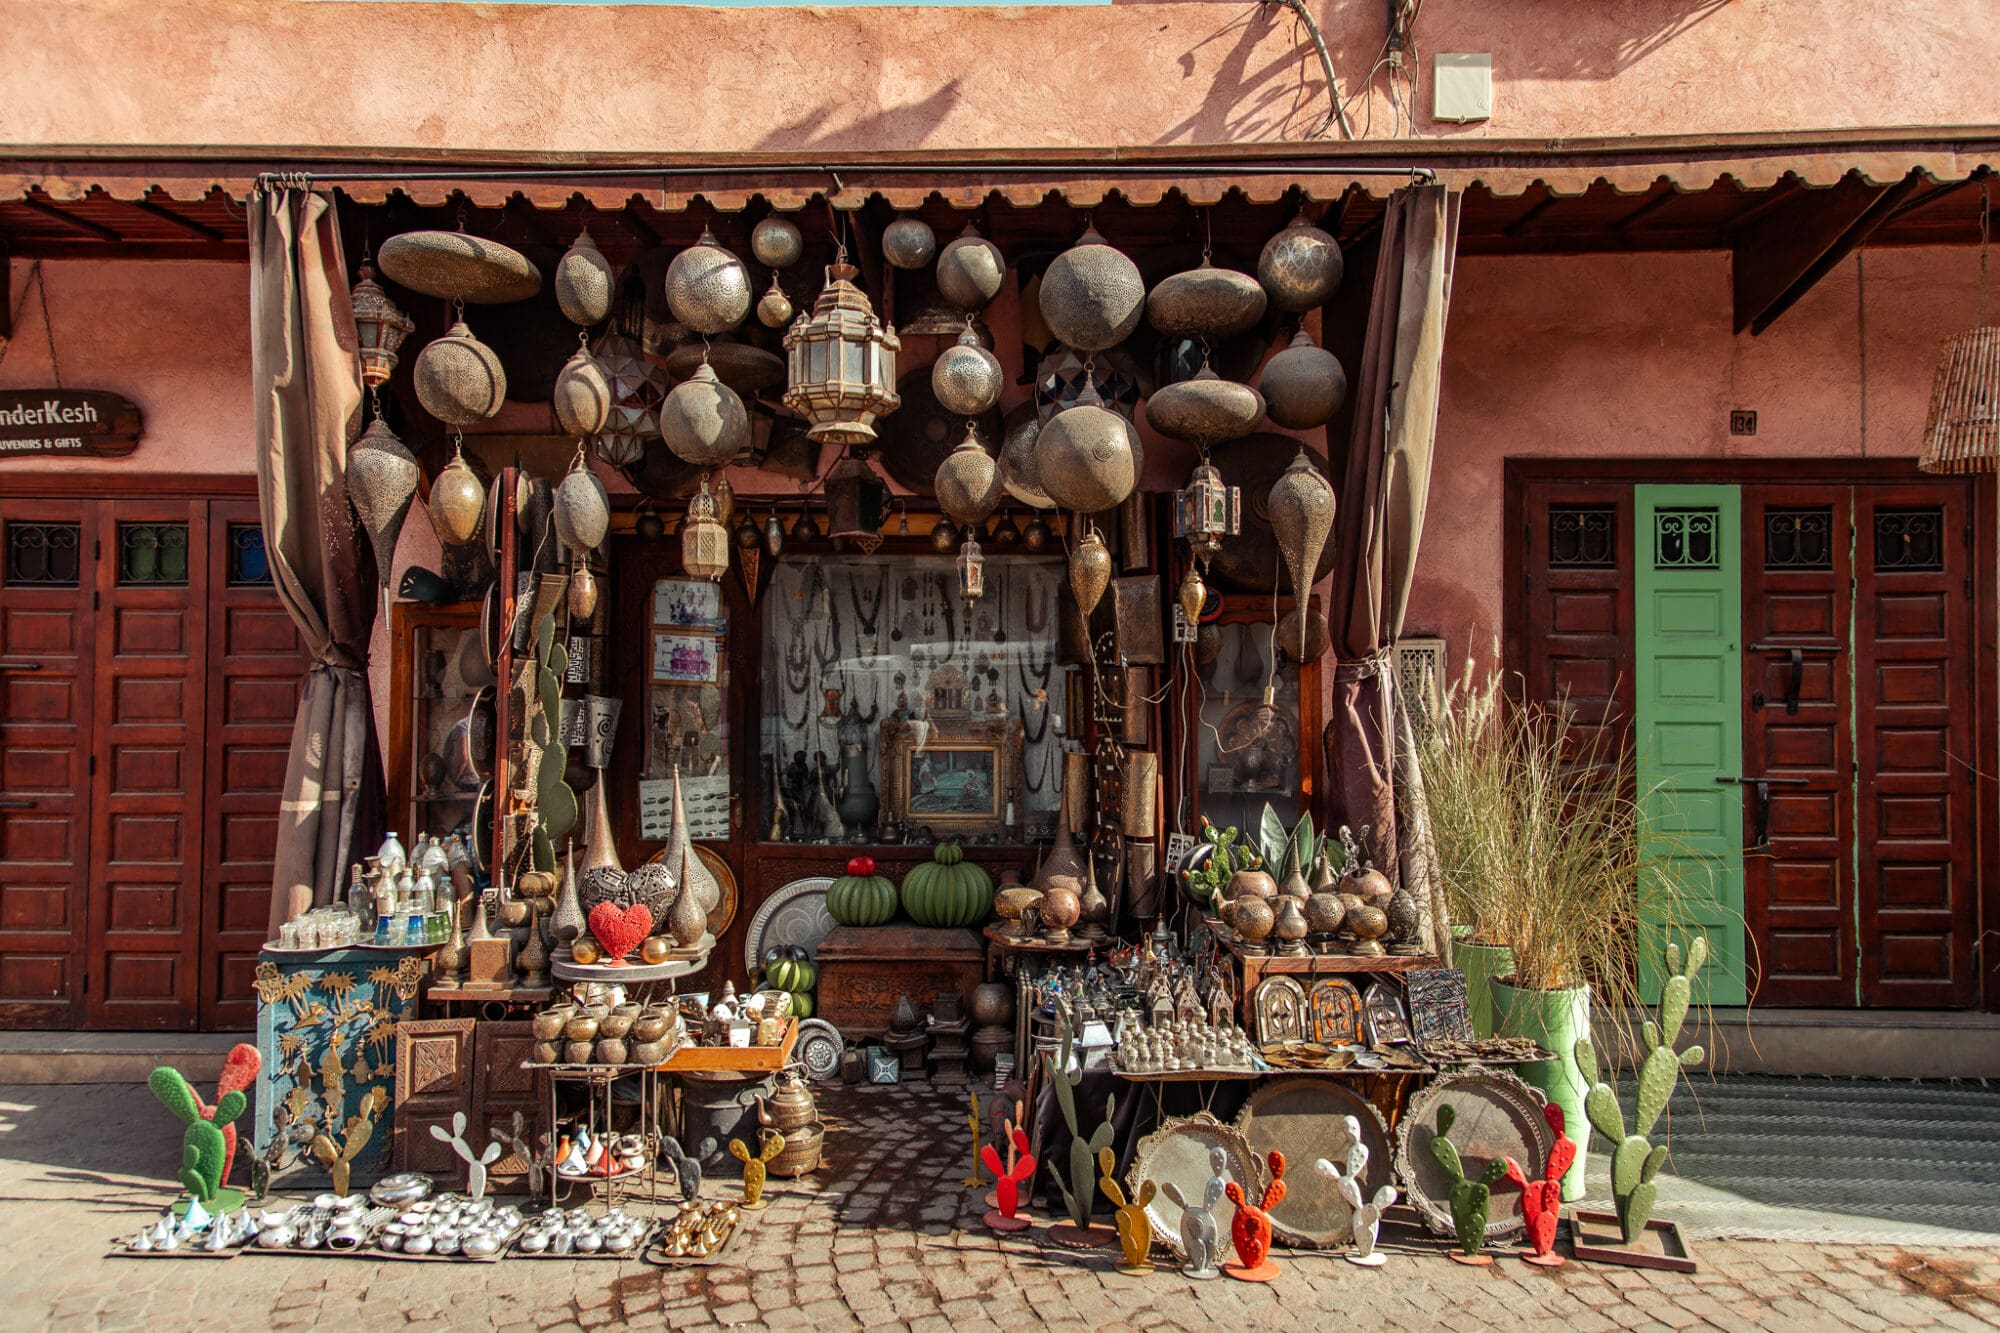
(1847, 1044)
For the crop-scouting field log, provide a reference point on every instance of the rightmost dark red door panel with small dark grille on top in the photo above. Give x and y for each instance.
(1915, 706)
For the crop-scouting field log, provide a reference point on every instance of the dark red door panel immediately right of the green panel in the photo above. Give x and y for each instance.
(1799, 886)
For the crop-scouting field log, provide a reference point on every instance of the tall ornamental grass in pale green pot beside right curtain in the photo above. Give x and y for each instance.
(1565, 876)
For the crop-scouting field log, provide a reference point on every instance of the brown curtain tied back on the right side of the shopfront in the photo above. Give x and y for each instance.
(1385, 481)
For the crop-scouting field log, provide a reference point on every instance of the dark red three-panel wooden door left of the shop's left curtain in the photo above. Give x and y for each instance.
(149, 680)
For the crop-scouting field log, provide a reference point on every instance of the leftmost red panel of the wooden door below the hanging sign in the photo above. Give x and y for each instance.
(47, 702)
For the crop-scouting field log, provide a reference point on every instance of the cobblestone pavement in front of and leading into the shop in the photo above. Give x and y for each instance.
(885, 1240)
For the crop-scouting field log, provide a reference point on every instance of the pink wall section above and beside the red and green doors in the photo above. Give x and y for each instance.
(1633, 355)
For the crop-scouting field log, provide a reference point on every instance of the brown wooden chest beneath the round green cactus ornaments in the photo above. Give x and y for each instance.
(863, 970)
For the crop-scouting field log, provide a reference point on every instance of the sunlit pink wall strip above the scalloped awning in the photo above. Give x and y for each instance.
(685, 79)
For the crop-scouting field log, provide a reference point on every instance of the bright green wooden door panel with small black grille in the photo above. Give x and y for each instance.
(1689, 710)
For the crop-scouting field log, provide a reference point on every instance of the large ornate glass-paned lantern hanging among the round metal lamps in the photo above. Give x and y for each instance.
(841, 363)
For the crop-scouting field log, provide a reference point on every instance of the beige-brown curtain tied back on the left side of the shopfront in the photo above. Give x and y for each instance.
(307, 383)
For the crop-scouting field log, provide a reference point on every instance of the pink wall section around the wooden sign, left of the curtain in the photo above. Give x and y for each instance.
(171, 337)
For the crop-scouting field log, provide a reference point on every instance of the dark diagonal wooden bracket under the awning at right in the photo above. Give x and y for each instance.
(1785, 255)
